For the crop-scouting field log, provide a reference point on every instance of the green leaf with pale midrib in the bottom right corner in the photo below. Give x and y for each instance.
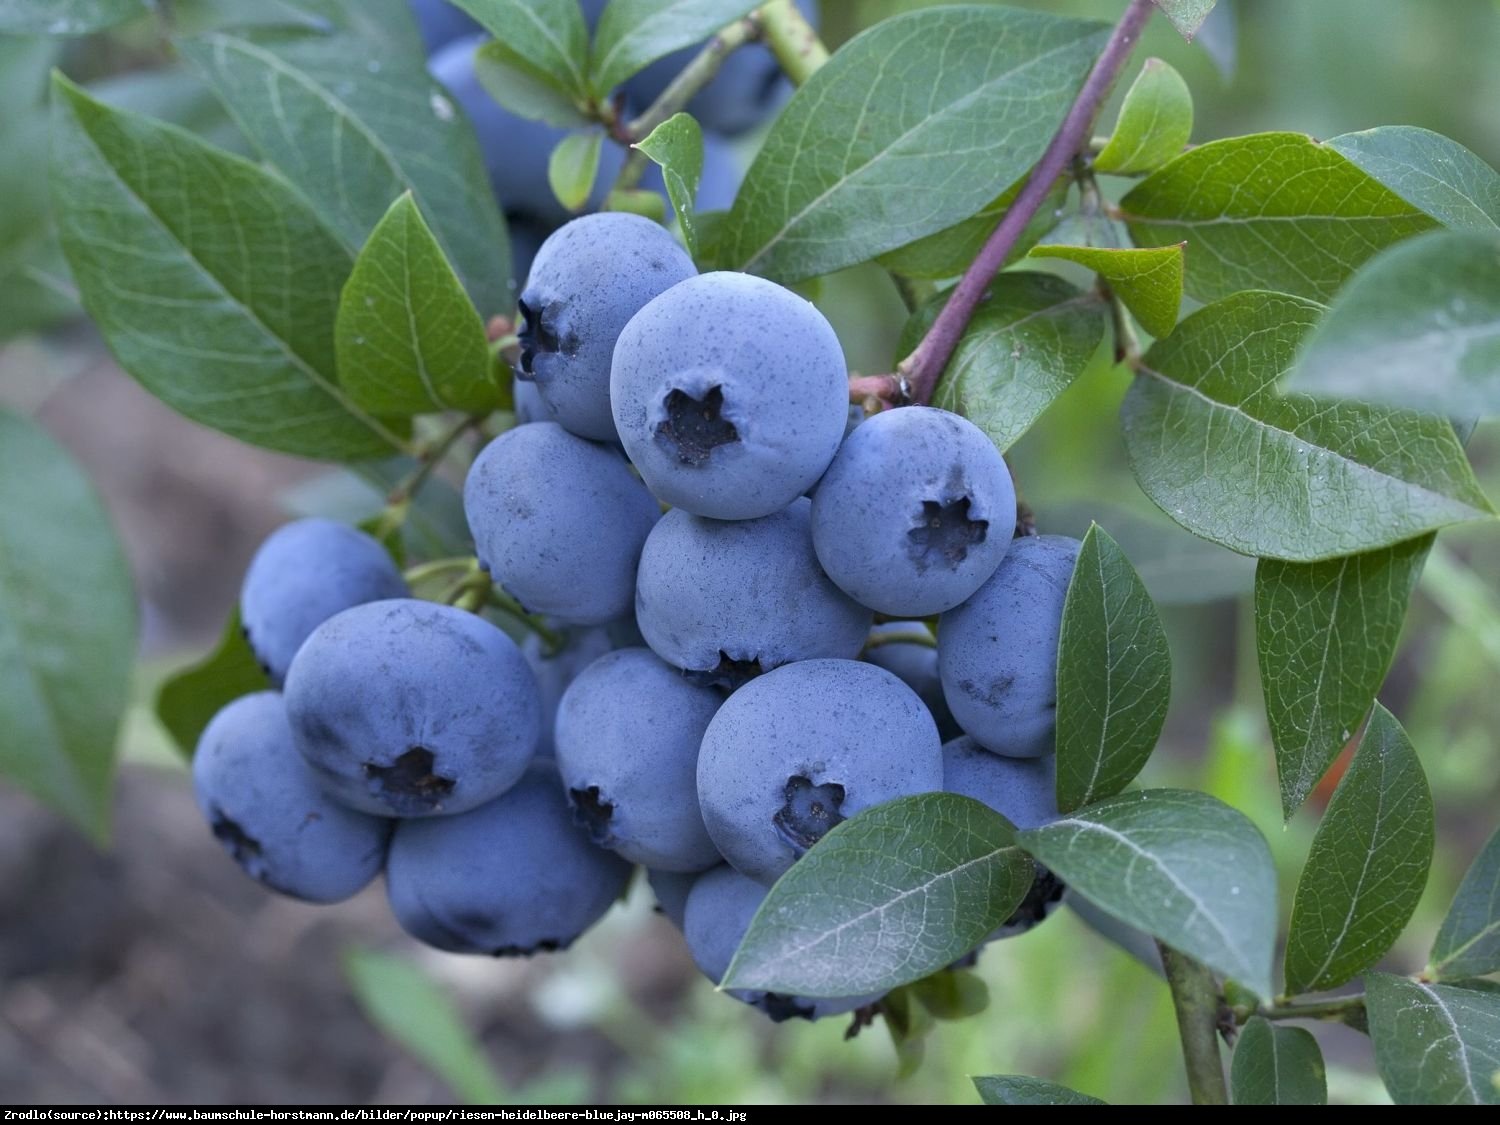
(1436, 1045)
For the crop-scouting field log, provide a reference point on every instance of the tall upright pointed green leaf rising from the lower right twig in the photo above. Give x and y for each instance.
(1369, 863)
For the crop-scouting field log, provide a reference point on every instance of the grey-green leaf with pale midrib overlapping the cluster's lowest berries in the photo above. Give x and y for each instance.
(887, 898)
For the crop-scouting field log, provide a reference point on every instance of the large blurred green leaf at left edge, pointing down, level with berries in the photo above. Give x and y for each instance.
(67, 629)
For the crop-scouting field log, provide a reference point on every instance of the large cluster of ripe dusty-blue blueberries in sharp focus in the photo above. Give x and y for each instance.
(725, 695)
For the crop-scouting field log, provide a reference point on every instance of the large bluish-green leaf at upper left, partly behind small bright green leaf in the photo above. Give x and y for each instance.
(352, 140)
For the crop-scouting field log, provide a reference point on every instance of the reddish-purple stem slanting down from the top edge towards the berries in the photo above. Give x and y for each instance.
(926, 364)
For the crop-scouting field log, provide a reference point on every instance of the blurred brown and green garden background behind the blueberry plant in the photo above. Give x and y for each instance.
(151, 974)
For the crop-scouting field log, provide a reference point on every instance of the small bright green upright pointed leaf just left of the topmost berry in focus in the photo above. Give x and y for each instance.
(409, 338)
